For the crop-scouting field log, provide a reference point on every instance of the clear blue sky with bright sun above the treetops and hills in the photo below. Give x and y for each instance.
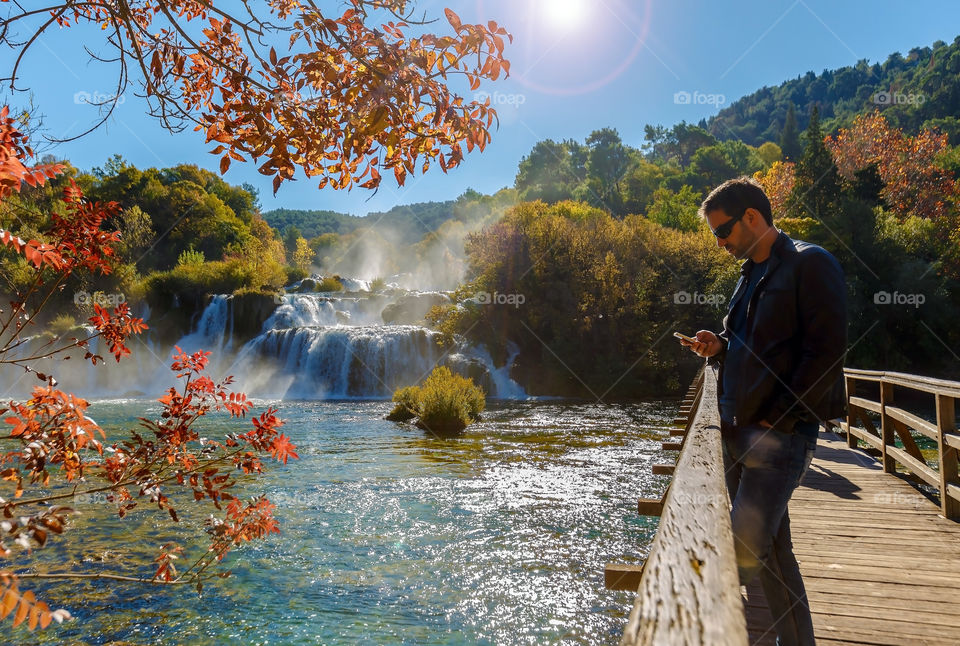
(577, 65)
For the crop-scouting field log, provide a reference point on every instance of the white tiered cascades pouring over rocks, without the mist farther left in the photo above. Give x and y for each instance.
(336, 346)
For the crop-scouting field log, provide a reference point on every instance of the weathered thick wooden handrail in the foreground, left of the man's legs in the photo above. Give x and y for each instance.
(690, 592)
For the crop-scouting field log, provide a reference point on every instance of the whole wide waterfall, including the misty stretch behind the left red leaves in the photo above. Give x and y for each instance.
(312, 346)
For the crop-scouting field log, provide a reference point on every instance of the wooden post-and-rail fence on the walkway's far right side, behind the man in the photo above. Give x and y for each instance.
(896, 422)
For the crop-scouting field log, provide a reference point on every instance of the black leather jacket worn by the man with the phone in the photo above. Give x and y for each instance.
(796, 338)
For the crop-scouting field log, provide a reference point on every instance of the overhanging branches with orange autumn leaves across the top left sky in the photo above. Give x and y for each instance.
(346, 99)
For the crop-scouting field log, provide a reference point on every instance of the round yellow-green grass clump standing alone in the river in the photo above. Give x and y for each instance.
(445, 403)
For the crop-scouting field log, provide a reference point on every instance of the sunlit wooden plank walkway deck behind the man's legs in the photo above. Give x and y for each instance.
(880, 565)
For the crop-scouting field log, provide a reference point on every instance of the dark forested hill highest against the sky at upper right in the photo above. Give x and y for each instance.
(921, 89)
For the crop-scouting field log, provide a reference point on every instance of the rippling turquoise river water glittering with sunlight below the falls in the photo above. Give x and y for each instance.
(391, 536)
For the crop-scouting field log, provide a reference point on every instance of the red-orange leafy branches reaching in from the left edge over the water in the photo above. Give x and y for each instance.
(53, 451)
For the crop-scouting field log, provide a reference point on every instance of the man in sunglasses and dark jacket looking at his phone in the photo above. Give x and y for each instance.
(781, 372)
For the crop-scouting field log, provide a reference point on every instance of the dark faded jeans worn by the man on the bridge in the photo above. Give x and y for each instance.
(763, 466)
